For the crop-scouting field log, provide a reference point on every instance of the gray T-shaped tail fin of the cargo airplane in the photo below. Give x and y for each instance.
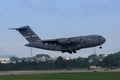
(27, 32)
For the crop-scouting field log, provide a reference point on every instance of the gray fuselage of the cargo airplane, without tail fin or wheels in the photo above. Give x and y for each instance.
(76, 43)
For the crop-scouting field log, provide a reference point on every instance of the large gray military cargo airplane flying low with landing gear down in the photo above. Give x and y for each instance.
(70, 45)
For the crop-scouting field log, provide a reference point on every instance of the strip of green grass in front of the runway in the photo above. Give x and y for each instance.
(66, 76)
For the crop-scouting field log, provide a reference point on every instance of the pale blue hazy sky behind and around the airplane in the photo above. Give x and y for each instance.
(56, 19)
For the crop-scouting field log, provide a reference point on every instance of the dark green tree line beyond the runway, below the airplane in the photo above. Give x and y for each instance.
(111, 61)
